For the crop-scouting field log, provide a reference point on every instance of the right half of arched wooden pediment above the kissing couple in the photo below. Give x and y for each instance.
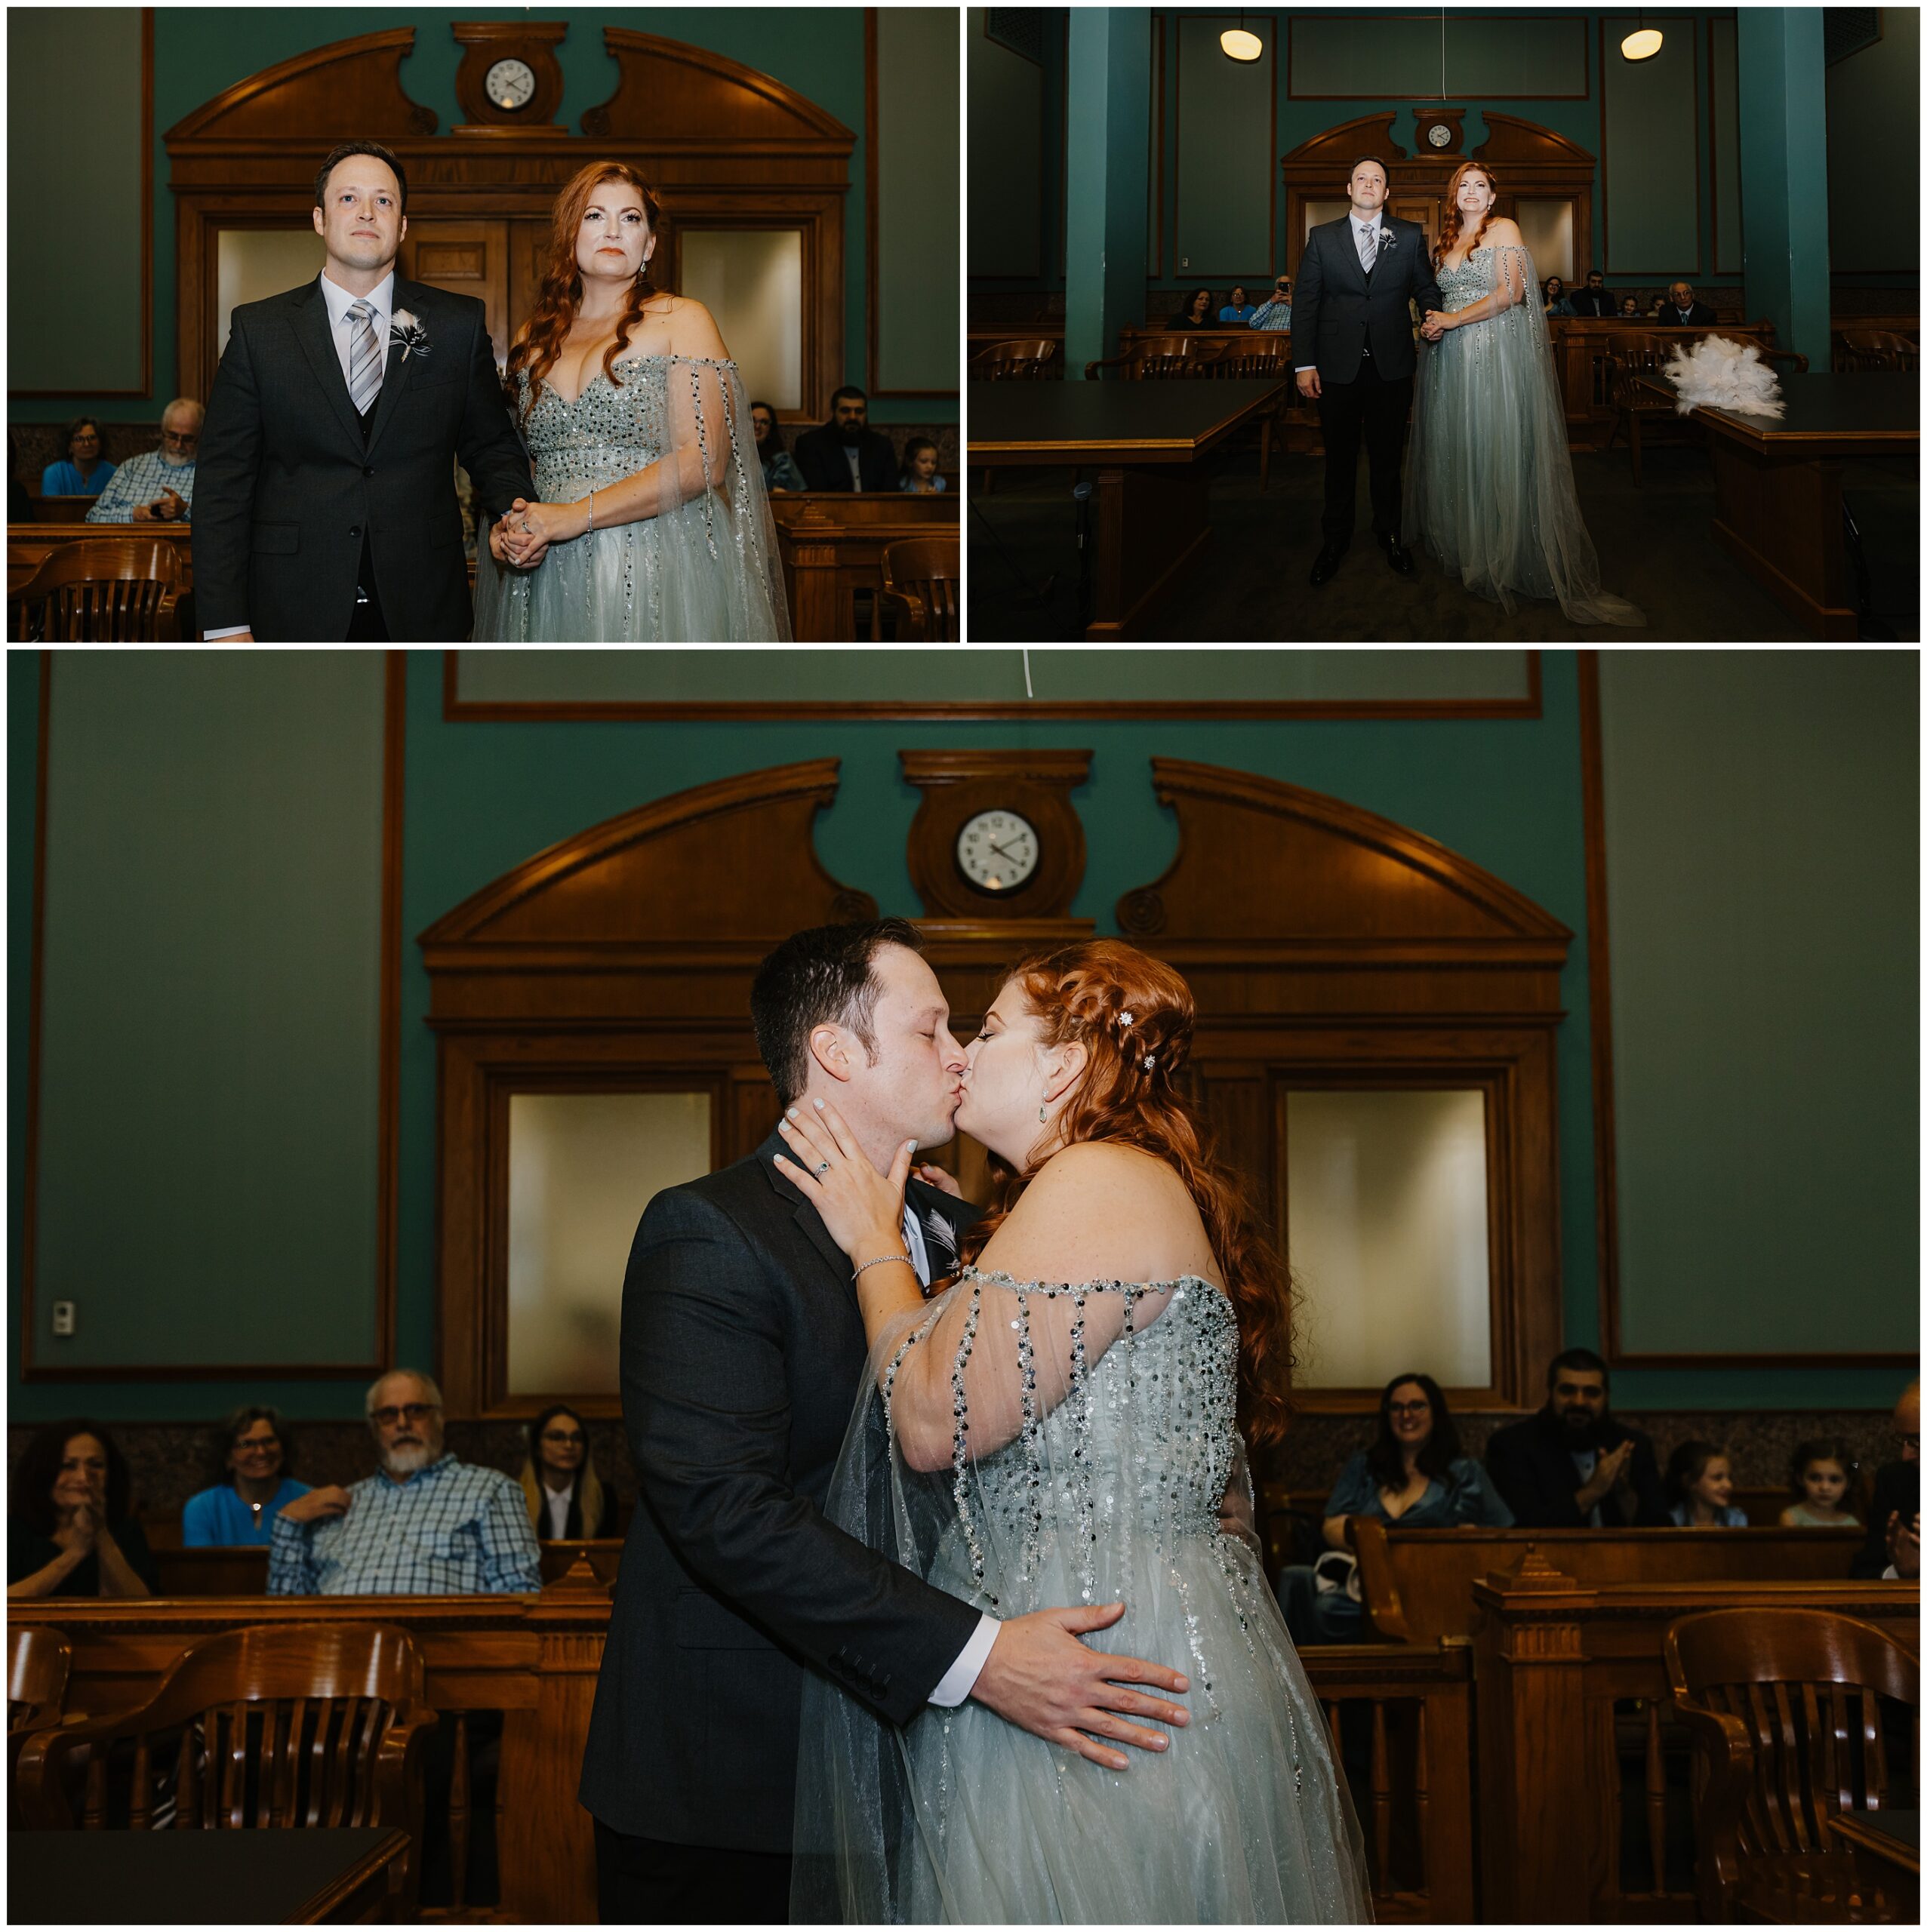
(1275, 870)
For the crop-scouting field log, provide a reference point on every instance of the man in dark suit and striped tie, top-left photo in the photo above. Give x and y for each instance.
(326, 497)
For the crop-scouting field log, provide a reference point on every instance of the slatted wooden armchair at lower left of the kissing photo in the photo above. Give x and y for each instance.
(277, 1726)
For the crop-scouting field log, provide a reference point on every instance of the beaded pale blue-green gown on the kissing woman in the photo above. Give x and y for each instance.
(1095, 1446)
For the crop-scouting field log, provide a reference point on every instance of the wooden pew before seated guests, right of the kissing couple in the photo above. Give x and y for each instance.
(1420, 1585)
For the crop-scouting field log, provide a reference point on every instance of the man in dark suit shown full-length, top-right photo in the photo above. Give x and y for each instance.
(1352, 341)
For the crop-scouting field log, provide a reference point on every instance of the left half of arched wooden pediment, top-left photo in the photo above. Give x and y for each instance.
(318, 96)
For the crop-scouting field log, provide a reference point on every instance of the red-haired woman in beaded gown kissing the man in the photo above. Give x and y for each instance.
(1064, 1427)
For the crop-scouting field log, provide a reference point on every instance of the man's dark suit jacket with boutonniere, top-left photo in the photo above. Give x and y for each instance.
(289, 486)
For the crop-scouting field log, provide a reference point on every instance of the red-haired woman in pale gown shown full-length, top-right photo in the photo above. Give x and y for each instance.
(1489, 482)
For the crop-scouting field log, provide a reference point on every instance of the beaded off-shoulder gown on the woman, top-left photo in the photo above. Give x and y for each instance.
(703, 571)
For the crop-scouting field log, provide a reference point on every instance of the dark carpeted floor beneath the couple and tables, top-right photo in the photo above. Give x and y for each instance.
(1655, 548)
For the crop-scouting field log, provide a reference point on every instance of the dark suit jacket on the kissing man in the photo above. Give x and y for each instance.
(743, 1351)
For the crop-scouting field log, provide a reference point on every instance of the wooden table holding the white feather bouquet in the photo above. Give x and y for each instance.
(1777, 484)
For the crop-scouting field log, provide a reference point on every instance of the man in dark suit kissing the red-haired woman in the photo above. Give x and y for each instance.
(743, 1351)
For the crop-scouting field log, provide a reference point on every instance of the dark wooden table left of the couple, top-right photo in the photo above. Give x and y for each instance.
(1147, 443)
